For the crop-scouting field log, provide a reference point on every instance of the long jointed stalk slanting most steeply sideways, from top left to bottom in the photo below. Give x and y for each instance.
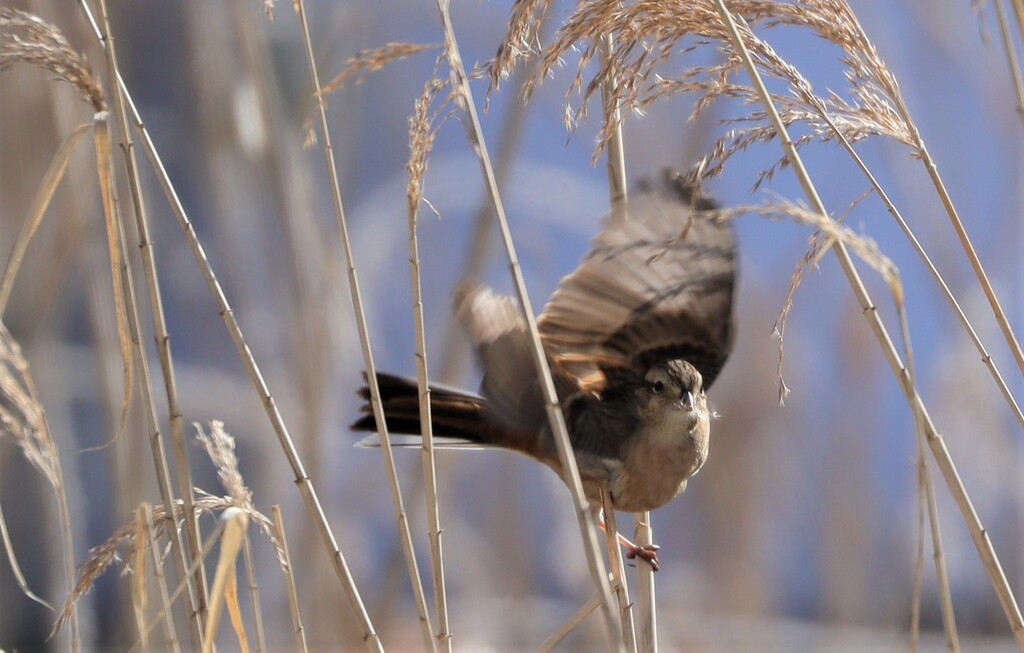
(303, 481)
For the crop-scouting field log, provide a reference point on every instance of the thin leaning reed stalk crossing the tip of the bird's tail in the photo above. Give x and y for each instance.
(400, 509)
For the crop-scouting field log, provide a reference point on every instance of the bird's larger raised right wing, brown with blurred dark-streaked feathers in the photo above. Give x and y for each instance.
(657, 284)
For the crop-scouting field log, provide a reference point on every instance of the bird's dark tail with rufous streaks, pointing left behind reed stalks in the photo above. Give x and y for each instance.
(454, 414)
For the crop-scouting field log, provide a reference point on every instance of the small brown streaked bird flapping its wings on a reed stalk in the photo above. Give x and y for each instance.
(634, 338)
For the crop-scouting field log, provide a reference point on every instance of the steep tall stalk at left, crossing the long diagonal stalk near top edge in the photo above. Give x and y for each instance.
(162, 337)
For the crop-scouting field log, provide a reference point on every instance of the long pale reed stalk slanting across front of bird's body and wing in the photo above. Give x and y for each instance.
(571, 474)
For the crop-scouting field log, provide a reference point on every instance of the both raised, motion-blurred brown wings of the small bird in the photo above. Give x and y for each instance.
(658, 284)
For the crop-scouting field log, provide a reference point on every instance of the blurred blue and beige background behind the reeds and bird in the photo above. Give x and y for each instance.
(799, 534)
